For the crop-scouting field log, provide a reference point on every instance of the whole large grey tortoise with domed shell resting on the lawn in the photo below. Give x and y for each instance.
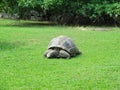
(61, 47)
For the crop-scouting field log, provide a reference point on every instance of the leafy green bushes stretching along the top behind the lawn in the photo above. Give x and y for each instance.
(96, 11)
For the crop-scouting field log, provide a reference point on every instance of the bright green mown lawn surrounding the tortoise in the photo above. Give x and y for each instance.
(23, 66)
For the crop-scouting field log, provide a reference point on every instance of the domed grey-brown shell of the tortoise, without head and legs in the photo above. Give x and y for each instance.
(64, 43)
